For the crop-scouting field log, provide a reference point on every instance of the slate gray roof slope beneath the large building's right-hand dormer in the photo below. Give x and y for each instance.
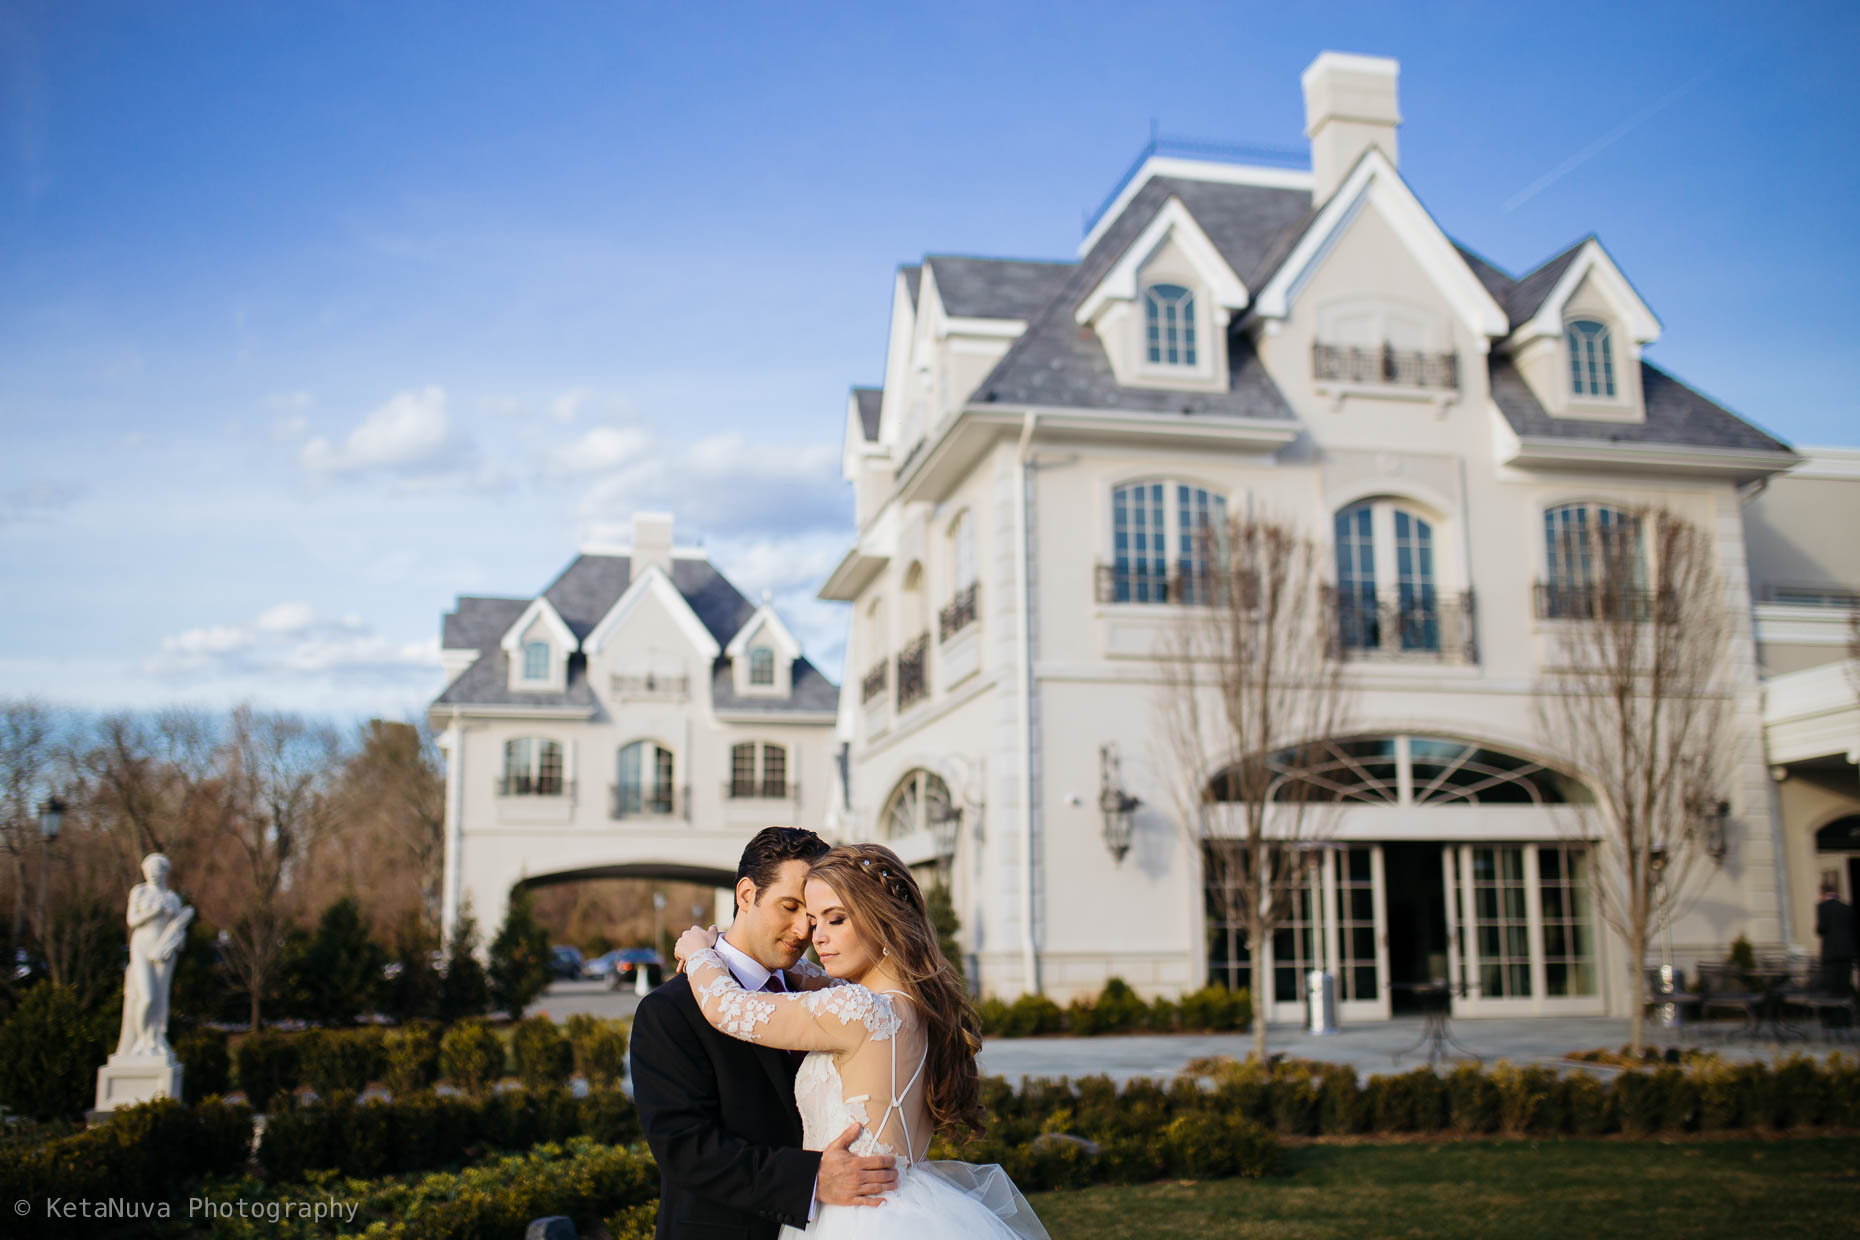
(1675, 416)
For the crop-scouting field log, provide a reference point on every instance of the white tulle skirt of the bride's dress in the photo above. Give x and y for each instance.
(935, 1202)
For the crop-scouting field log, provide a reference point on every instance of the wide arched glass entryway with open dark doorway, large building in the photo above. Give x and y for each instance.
(1435, 860)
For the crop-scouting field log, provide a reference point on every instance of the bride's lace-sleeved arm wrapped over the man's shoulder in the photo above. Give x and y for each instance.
(838, 1018)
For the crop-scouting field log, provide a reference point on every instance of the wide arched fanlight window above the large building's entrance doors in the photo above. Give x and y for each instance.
(1400, 771)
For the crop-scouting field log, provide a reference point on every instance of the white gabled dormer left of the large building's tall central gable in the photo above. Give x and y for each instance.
(1162, 311)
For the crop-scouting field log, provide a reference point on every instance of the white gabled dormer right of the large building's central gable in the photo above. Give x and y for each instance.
(1578, 330)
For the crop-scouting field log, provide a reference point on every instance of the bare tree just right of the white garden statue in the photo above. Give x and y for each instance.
(280, 771)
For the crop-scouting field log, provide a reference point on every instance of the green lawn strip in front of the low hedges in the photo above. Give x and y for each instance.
(1519, 1191)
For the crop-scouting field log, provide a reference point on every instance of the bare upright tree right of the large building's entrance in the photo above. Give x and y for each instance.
(1638, 702)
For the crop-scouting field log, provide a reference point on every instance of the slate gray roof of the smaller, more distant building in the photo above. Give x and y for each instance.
(583, 596)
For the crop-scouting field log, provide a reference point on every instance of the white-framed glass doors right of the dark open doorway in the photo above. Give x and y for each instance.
(1522, 930)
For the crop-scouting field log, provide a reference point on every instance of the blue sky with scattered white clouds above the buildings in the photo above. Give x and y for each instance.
(319, 315)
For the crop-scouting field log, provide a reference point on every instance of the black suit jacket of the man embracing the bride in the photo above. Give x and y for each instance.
(723, 1126)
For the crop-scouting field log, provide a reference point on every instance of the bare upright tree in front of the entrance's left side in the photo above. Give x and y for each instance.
(1253, 689)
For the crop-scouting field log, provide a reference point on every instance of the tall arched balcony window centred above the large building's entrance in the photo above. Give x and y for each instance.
(1411, 616)
